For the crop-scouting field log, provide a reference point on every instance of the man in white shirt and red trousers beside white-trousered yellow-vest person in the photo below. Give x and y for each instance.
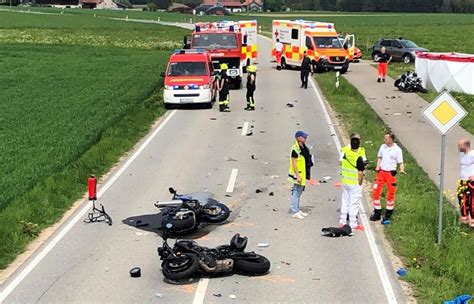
(389, 156)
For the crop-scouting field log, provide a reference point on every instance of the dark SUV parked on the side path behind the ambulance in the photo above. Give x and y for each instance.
(400, 49)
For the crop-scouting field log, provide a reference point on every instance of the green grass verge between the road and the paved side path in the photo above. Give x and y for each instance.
(438, 273)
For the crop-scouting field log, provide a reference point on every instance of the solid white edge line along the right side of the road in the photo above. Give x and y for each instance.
(387, 286)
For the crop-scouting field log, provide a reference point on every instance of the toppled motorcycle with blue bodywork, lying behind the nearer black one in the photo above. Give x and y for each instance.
(185, 213)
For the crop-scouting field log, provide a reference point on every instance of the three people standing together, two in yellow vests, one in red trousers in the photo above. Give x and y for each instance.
(353, 163)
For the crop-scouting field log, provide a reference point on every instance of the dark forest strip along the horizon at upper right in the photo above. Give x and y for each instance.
(425, 6)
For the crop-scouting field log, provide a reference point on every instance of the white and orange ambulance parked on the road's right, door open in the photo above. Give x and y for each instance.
(319, 39)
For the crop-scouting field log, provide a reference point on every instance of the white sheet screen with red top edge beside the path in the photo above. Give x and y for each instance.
(450, 71)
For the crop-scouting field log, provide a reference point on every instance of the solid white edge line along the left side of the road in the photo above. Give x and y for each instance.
(42, 254)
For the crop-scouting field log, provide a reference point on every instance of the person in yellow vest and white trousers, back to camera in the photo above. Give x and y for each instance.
(352, 171)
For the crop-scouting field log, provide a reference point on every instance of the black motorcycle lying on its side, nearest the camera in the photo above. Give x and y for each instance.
(186, 259)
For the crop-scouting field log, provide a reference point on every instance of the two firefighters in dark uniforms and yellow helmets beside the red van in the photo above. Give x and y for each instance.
(222, 86)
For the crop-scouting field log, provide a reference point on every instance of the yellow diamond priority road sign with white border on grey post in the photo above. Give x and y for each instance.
(444, 112)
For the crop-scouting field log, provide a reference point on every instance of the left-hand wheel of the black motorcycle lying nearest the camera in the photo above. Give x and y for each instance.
(180, 268)
